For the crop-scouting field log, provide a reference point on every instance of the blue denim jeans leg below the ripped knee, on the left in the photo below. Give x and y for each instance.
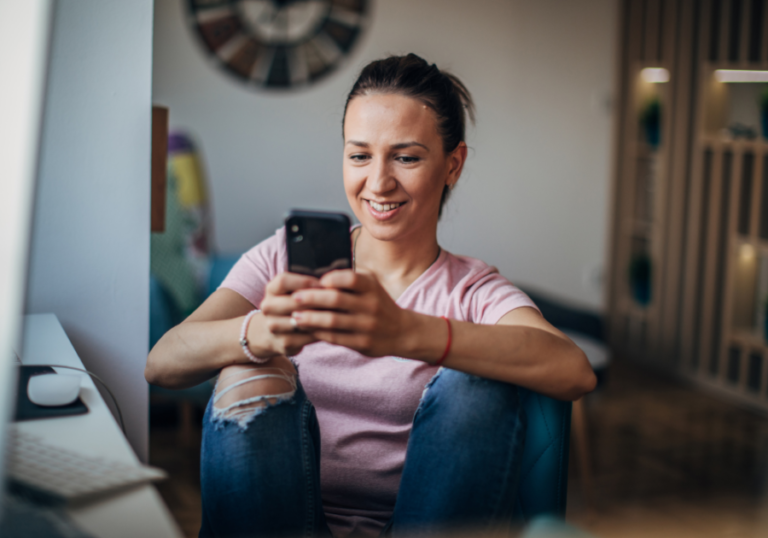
(263, 479)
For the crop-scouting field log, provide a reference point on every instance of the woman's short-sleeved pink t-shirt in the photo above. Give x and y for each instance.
(365, 406)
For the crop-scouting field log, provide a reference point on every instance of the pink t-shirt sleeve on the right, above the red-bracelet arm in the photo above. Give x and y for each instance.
(493, 296)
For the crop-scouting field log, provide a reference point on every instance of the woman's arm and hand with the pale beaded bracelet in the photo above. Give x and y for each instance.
(209, 339)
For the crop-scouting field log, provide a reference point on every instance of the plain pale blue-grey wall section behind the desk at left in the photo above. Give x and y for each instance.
(90, 244)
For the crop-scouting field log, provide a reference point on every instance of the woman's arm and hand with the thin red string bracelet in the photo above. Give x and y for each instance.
(523, 348)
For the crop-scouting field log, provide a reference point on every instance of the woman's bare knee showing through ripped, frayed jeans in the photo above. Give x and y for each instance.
(244, 391)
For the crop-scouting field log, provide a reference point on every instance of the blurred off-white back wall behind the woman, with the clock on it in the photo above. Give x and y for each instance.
(534, 197)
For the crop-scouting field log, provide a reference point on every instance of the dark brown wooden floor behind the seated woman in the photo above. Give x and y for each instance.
(667, 460)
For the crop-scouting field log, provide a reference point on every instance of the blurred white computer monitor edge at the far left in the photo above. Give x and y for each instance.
(24, 39)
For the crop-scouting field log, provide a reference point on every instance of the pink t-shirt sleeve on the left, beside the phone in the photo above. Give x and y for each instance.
(253, 271)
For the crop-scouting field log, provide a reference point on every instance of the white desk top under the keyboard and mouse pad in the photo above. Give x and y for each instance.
(136, 512)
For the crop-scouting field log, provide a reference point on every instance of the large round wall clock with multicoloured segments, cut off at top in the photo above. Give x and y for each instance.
(278, 44)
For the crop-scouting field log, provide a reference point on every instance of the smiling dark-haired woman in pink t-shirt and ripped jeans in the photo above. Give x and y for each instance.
(406, 446)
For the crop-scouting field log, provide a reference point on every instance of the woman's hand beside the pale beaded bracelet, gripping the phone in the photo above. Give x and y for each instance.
(277, 335)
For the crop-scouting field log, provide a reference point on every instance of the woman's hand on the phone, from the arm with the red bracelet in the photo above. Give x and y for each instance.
(353, 310)
